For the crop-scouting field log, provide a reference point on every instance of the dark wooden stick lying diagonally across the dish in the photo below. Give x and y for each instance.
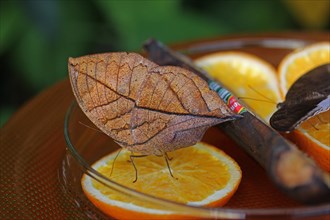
(291, 170)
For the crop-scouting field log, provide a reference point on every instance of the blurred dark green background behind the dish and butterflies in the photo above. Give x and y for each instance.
(37, 36)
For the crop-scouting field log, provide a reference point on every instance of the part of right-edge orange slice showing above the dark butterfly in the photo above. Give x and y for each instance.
(300, 61)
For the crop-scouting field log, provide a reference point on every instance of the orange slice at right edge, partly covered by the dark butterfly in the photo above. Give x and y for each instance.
(313, 136)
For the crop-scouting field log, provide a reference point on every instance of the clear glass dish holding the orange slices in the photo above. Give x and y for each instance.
(256, 196)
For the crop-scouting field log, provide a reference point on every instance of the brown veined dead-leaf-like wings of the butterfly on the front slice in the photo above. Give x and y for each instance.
(144, 107)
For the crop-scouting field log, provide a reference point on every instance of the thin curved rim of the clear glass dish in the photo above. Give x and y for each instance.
(240, 213)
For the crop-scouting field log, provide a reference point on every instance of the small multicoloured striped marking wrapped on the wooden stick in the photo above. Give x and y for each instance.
(227, 97)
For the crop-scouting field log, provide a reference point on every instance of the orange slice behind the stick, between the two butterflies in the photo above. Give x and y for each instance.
(248, 77)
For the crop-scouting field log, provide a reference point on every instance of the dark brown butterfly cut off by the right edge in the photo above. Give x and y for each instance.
(307, 97)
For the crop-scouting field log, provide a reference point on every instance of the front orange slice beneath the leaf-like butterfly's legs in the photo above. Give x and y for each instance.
(203, 175)
